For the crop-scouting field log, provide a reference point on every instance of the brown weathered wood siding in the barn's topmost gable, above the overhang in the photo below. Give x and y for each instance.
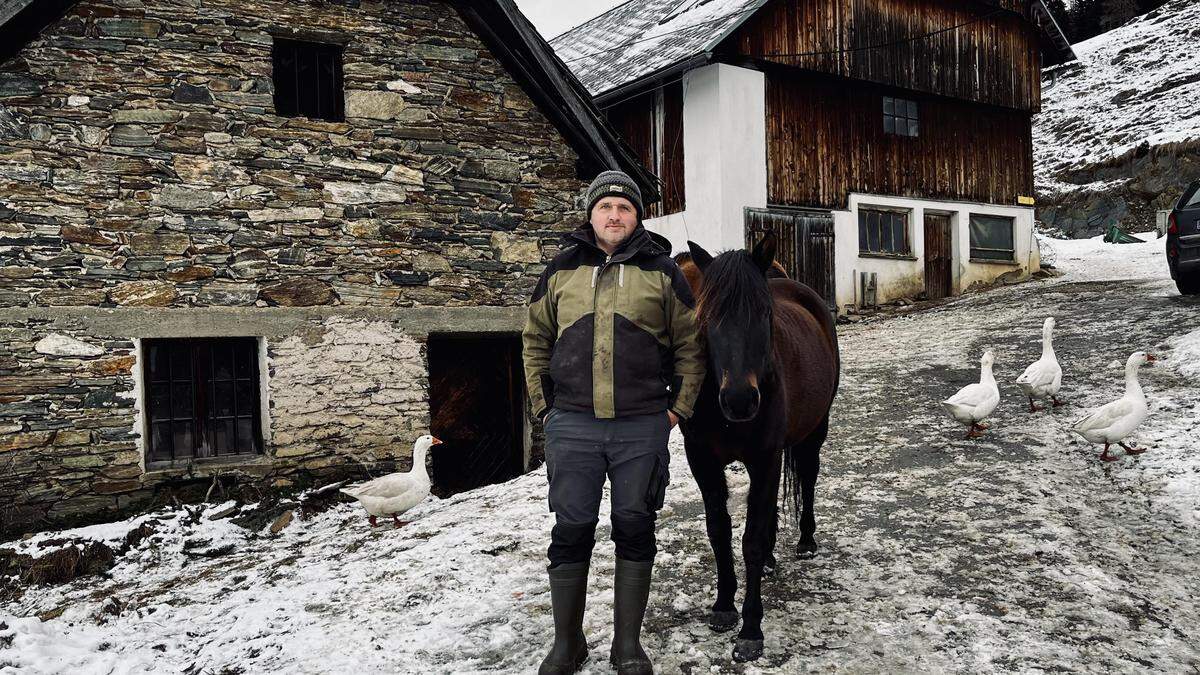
(983, 52)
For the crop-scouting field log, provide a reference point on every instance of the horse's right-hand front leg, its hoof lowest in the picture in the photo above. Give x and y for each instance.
(763, 511)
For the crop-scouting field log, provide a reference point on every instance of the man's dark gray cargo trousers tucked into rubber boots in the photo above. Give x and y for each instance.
(581, 452)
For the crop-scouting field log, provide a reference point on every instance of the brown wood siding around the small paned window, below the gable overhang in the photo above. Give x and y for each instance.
(826, 140)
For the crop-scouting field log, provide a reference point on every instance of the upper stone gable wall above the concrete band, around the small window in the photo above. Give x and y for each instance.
(146, 166)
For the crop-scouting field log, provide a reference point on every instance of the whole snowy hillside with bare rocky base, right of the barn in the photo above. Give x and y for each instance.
(1119, 135)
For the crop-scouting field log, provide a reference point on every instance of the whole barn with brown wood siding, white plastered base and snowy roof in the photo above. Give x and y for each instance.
(887, 141)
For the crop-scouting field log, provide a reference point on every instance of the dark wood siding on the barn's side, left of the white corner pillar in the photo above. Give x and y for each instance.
(658, 144)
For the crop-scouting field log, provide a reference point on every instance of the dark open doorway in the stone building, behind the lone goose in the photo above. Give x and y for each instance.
(477, 409)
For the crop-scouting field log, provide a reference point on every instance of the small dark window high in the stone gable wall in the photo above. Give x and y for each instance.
(309, 80)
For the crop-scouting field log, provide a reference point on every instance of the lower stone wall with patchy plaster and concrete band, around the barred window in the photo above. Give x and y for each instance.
(346, 395)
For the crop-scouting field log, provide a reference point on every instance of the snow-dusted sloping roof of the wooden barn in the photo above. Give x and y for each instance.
(643, 37)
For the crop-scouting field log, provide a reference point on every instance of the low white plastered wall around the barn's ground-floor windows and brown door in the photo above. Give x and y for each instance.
(907, 278)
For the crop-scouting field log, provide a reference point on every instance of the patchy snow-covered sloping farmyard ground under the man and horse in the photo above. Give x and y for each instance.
(1017, 553)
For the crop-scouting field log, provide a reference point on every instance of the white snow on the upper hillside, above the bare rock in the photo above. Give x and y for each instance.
(1136, 85)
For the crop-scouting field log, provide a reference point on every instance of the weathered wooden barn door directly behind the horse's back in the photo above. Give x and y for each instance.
(806, 246)
